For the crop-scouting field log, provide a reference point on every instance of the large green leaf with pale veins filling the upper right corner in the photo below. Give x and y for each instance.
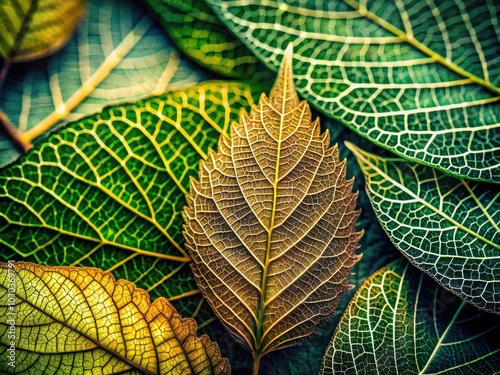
(420, 79)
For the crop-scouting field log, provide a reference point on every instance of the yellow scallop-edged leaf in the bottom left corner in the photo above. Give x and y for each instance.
(71, 320)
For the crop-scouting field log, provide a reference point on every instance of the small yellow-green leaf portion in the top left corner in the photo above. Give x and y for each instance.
(33, 29)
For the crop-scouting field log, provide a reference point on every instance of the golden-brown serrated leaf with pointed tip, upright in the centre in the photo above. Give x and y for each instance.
(270, 224)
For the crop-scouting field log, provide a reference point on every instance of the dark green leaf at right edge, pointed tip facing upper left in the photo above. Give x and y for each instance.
(447, 227)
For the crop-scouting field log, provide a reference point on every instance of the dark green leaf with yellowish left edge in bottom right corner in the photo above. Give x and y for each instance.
(401, 322)
